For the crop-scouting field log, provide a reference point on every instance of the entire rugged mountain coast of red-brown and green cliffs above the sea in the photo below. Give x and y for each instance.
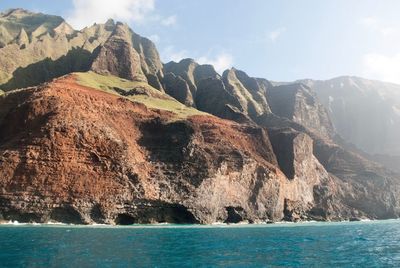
(100, 131)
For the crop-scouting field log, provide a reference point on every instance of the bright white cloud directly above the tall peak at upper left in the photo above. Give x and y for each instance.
(87, 12)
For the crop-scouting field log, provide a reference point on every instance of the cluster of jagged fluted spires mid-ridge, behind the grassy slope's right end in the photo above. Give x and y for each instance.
(235, 95)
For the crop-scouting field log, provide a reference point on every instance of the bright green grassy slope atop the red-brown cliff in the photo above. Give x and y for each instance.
(152, 98)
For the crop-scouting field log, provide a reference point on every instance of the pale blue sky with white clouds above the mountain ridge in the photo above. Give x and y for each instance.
(281, 40)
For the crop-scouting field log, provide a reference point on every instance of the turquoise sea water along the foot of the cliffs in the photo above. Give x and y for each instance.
(361, 244)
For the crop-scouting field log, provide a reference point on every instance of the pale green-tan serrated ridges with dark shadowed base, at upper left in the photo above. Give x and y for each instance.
(40, 47)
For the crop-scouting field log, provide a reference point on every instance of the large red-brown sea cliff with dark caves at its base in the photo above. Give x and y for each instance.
(74, 154)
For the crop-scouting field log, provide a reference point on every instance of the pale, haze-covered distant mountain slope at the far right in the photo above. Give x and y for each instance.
(364, 112)
